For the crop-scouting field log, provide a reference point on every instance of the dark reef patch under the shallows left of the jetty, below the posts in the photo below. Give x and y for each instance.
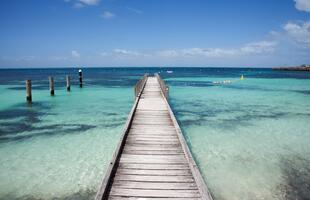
(23, 121)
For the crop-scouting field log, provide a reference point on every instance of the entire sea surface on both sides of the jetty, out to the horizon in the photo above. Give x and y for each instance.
(250, 137)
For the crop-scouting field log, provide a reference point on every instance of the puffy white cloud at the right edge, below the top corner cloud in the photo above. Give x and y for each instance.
(299, 32)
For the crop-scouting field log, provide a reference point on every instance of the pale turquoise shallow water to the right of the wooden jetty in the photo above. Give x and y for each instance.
(250, 138)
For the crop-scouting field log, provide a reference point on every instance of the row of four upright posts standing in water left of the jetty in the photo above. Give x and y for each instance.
(52, 86)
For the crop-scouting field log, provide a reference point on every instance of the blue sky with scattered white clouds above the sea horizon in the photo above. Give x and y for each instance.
(99, 33)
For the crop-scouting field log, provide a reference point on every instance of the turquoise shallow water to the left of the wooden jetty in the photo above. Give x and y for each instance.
(58, 147)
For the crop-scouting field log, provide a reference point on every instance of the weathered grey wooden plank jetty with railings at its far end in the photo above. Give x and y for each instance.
(152, 159)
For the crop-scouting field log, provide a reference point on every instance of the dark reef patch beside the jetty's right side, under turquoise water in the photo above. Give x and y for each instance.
(206, 114)
